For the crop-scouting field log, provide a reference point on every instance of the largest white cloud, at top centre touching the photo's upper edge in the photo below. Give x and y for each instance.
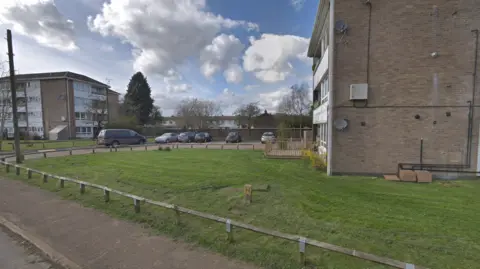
(164, 33)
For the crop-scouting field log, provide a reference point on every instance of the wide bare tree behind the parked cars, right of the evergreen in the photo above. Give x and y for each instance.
(196, 113)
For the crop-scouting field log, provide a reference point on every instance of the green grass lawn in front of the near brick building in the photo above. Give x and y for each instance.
(435, 225)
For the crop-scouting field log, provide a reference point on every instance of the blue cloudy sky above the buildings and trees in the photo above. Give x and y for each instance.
(232, 52)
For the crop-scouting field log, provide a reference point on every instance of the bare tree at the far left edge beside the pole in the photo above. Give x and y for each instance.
(5, 103)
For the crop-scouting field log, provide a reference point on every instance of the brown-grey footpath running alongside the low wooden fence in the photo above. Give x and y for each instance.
(94, 240)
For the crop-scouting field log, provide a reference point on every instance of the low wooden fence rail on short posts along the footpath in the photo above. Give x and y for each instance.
(303, 241)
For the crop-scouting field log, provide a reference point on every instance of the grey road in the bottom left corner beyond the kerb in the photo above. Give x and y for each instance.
(18, 254)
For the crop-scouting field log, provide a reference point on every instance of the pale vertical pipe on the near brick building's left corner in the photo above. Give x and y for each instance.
(331, 100)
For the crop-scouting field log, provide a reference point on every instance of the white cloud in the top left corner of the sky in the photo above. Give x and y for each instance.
(40, 20)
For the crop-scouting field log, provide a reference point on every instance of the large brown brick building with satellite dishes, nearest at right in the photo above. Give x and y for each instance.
(388, 74)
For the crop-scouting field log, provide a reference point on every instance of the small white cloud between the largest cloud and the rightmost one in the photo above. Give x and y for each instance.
(223, 54)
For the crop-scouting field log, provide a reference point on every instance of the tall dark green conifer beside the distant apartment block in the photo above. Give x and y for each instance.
(138, 101)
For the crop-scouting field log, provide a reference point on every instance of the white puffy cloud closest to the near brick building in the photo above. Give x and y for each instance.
(270, 57)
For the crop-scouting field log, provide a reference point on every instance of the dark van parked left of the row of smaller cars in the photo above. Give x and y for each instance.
(115, 137)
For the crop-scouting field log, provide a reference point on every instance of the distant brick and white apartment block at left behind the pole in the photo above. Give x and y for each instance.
(59, 105)
